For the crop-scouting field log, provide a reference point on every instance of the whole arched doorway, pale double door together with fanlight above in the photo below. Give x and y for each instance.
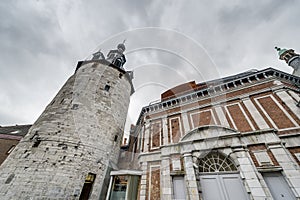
(219, 178)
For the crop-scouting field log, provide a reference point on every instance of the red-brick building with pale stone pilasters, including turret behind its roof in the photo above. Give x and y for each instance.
(228, 139)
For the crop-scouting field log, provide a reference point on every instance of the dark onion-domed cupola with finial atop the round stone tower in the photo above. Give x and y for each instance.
(116, 57)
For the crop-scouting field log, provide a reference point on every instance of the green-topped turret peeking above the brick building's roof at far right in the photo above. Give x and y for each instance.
(291, 58)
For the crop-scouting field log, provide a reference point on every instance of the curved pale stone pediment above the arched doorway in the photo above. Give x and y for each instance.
(206, 132)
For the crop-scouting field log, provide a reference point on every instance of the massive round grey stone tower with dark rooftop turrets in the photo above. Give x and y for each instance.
(71, 148)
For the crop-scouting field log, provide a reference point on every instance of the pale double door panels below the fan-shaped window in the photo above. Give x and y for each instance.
(223, 187)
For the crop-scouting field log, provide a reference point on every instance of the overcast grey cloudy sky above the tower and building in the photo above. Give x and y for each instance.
(168, 43)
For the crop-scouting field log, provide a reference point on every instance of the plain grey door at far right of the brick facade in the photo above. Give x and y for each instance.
(278, 186)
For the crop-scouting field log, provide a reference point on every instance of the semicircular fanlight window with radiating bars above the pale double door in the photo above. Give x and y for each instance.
(216, 162)
